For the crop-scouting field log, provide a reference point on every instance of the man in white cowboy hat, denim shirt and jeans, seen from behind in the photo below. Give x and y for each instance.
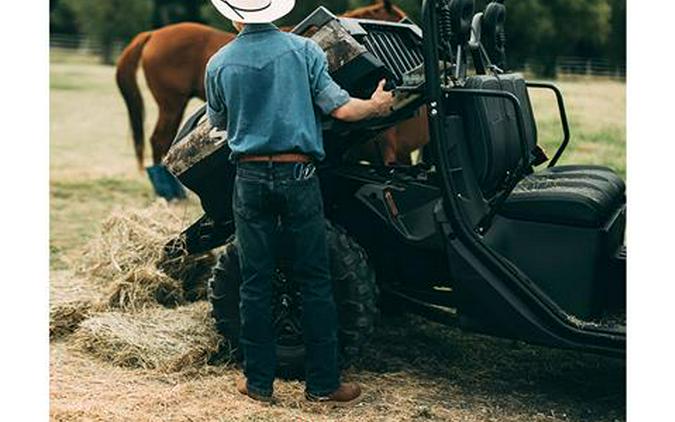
(268, 88)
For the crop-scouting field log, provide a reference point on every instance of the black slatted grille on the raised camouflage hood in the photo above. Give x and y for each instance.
(397, 50)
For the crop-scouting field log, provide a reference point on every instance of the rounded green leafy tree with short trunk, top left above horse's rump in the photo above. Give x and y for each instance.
(110, 20)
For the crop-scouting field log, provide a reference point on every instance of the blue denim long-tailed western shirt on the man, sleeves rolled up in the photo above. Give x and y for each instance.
(273, 86)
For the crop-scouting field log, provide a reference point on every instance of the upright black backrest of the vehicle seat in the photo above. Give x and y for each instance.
(492, 129)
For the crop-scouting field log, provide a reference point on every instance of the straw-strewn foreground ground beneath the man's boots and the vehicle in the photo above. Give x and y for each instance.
(435, 374)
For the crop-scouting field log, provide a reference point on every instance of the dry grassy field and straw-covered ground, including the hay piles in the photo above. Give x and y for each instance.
(105, 365)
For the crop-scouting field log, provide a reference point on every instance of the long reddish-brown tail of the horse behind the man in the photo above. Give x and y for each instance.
(127, 65)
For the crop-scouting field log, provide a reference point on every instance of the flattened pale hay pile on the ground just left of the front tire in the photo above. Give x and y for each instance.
(168, 340)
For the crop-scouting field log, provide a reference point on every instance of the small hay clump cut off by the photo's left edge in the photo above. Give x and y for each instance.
(71, 300)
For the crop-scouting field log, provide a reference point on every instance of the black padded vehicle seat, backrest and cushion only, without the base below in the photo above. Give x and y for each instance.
(575, 194)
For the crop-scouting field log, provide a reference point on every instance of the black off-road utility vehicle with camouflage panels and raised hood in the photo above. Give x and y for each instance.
(479, 233)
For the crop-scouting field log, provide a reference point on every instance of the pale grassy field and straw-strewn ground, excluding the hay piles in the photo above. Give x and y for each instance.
(412, 370)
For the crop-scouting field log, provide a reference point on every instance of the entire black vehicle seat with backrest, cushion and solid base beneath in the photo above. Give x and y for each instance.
(560, 226)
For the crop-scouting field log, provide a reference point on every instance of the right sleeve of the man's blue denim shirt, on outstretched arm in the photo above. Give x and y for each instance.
(327, 94)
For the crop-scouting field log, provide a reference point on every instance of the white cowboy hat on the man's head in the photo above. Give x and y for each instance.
(254, 11)
